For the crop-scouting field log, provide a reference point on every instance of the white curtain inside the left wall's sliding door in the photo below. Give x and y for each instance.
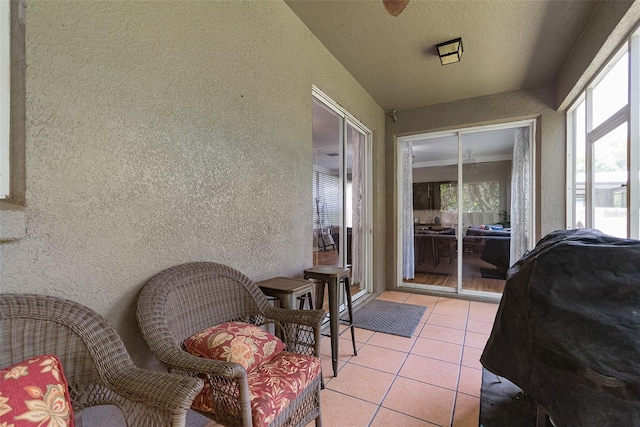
(357, 226)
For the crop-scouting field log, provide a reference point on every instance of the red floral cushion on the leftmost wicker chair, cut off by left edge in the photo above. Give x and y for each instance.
(35, 392)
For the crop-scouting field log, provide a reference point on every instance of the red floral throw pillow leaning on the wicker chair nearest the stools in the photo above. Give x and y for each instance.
(238, 342)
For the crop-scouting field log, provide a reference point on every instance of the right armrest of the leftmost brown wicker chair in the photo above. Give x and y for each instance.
(162, 390)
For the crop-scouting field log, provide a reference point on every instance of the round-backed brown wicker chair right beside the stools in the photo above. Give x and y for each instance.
(182, 300)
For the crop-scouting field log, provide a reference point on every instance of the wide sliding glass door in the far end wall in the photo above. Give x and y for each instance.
(466, 208)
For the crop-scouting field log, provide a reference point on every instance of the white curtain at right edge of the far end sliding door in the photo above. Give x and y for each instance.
(520, 193)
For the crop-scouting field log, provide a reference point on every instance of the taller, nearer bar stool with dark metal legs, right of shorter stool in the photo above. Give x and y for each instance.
(333, 277)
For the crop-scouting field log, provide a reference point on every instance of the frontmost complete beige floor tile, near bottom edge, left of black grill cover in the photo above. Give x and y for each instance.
(420, 400)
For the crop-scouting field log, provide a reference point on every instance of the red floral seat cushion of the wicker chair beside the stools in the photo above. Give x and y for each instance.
(272, 385)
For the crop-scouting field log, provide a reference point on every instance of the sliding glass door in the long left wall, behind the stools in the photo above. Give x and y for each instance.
(341, 199)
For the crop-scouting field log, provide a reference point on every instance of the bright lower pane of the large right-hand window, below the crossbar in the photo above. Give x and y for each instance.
(610, 182)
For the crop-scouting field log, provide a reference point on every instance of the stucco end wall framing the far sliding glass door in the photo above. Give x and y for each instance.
(499, 108)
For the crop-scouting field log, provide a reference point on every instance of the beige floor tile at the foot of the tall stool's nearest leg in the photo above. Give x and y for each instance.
(361, 382)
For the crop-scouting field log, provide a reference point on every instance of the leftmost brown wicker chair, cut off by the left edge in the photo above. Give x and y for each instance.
(96, 364)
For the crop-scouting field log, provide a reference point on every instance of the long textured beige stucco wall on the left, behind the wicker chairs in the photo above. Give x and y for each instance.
(165, 132)
